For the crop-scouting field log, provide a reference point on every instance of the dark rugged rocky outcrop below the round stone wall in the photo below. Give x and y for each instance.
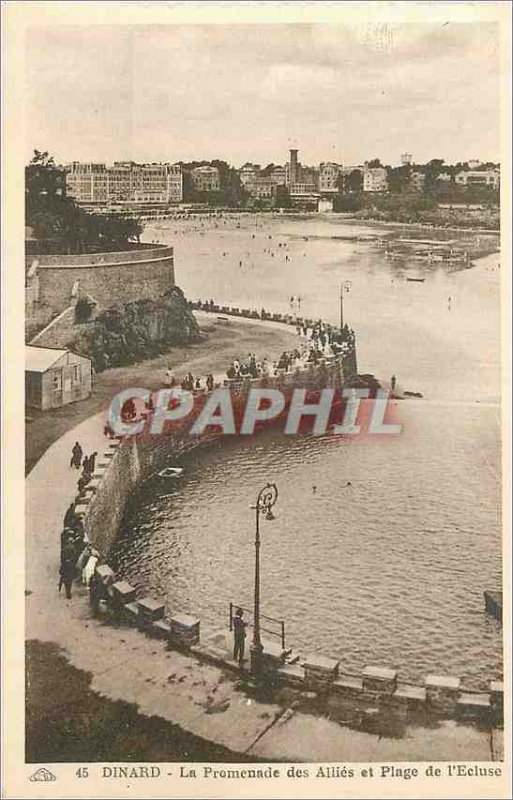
(126, 333)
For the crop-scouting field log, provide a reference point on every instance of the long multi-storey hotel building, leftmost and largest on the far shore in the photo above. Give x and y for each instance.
(124, 182)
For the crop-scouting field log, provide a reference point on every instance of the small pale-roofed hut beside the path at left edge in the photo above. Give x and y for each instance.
(54, 378)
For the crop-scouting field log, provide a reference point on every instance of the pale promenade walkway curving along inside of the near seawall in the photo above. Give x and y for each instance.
(124, 664)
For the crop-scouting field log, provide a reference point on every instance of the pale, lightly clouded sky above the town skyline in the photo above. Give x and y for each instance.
(250, 92)
